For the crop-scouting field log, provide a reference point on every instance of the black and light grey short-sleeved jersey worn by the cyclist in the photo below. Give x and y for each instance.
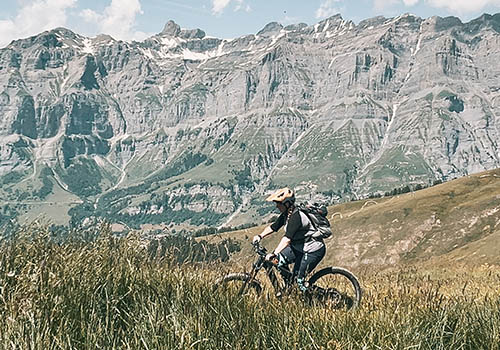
(299, 230)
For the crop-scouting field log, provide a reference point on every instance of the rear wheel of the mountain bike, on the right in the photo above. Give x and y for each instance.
(336, 285)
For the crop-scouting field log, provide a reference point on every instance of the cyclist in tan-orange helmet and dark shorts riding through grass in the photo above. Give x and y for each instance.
(297, 245)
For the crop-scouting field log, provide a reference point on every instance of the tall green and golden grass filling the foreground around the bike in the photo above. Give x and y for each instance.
(111, 294)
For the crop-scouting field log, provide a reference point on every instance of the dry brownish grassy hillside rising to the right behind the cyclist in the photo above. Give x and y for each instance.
(454, 222)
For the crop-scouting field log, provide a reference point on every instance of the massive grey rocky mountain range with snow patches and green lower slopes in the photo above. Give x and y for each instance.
(185, 128)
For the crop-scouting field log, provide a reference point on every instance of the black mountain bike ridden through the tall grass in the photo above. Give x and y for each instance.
(333, 287)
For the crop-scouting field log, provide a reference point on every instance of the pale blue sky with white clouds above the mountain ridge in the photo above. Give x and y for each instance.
(225, 19)
